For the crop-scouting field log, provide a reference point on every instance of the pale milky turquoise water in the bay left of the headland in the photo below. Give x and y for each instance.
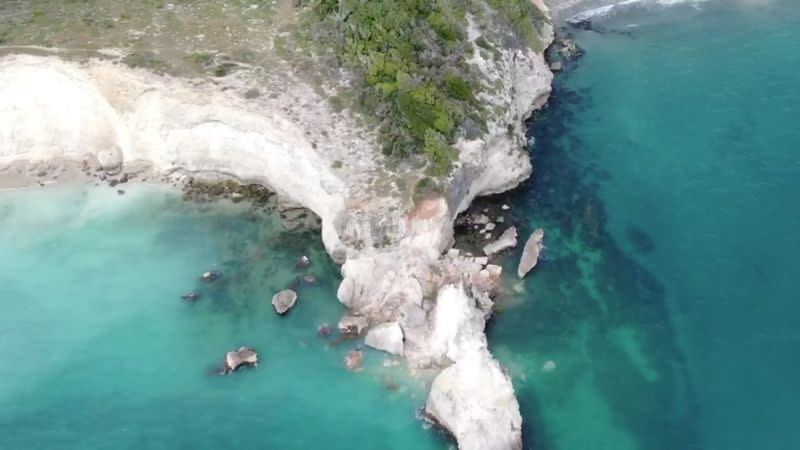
(99, 352)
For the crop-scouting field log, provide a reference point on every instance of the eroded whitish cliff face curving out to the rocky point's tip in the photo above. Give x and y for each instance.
(390, 243)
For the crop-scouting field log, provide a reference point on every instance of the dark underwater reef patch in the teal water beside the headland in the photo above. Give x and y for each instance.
(607, 317)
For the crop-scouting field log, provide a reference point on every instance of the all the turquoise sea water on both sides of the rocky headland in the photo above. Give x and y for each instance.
(666, 170)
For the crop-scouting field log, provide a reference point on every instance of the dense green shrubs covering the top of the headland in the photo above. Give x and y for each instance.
(412, 58)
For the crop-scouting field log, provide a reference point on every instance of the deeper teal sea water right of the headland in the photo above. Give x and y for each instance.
(666, 174)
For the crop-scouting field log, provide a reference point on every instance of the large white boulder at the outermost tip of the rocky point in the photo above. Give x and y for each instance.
(474, 400)
